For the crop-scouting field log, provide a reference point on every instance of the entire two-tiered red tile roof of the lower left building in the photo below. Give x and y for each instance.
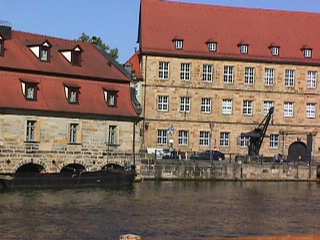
(95, 74)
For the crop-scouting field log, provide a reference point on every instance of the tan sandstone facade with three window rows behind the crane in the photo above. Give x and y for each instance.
(288, 129)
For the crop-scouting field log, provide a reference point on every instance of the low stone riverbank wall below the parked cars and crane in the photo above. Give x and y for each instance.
(189, 171)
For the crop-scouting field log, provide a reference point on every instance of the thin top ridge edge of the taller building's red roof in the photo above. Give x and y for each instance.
(182, 2)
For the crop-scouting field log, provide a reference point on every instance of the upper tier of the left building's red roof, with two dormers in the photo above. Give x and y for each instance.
(93, 63)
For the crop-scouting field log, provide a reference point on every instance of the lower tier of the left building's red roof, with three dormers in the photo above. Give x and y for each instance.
(51, 95)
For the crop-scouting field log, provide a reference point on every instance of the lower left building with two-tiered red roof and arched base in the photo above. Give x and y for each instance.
(62, 103)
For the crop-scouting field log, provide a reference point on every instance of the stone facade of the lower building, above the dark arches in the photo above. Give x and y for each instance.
(52, 149)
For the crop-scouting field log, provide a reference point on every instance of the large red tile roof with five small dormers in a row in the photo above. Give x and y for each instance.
(161, 21)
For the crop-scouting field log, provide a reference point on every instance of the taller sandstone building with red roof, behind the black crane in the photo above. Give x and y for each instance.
(210, 73)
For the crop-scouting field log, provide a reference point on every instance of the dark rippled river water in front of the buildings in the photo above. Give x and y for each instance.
(166, 210)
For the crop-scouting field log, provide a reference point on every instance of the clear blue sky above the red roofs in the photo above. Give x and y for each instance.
(115, 21)
